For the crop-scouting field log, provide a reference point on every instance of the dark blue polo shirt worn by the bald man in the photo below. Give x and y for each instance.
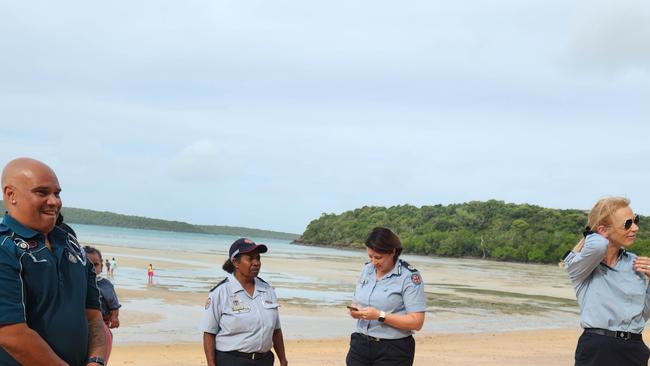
(48, 290)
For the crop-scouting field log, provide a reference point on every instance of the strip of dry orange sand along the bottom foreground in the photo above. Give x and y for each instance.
(549, 347)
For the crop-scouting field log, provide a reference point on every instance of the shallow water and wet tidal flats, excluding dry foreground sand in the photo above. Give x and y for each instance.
(463, 295)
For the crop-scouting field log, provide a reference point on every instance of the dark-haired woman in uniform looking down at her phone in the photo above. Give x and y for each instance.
(388, 304)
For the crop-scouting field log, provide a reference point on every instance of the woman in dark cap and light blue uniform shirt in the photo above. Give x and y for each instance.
(241, 320)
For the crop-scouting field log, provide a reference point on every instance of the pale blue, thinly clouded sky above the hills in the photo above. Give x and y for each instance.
(267, 114)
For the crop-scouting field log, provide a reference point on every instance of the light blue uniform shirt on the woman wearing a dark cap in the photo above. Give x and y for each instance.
(240, 321)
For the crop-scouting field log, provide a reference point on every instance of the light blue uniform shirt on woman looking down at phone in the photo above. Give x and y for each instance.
(400, 291)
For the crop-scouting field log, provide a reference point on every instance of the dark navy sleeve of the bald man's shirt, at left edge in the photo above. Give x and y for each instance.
(12, 309)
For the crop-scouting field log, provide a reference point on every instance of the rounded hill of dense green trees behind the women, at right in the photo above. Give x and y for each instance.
(492, 229)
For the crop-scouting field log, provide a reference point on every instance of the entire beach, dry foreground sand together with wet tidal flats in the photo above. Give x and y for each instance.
(480, 312)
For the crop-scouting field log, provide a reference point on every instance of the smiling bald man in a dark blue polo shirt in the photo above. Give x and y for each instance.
(49, 302)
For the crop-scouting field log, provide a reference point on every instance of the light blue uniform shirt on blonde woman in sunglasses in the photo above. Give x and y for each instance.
(610, 298)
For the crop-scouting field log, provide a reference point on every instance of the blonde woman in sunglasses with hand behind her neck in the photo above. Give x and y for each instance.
(611, 285)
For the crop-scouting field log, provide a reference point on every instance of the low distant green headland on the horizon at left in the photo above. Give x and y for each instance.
(90, 217)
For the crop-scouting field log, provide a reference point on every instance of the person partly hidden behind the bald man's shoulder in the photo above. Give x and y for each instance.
(110, 305)
